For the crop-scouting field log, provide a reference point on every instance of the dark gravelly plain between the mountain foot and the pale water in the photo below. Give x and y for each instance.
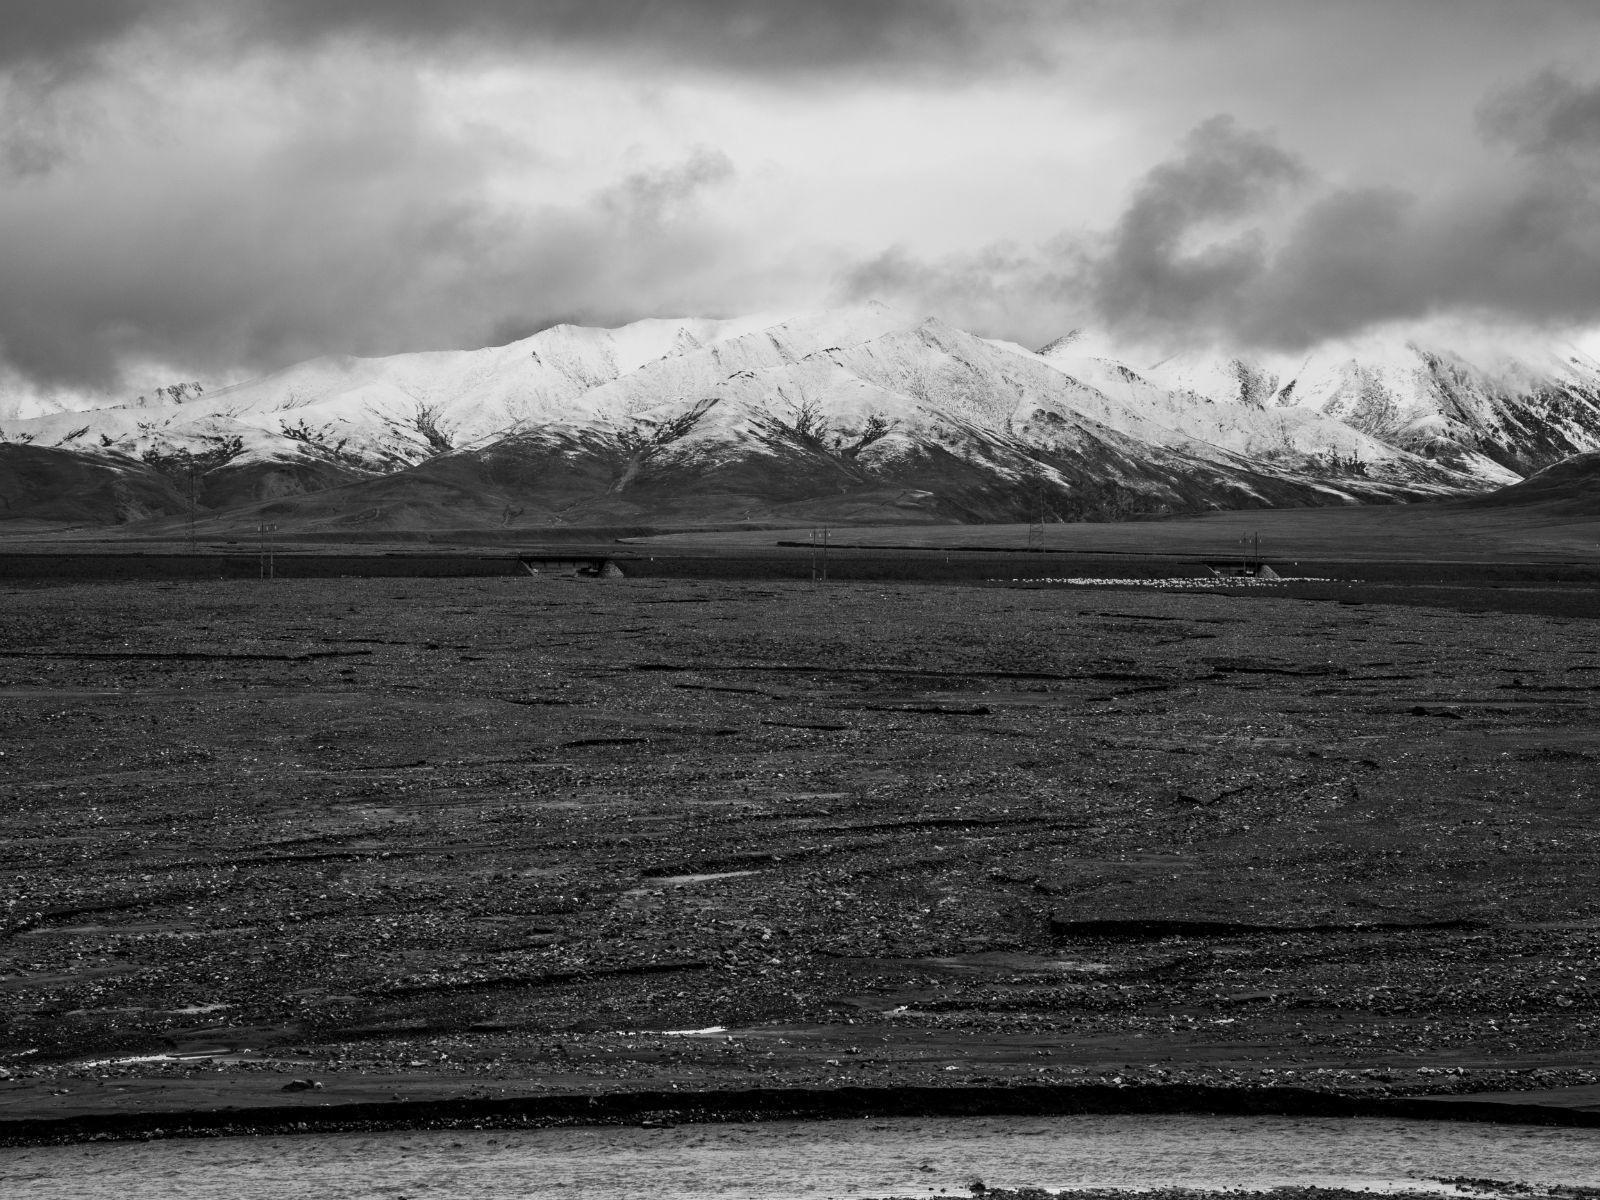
(377, 842)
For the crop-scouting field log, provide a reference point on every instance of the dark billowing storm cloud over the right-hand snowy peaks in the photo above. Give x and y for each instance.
(1236, 241)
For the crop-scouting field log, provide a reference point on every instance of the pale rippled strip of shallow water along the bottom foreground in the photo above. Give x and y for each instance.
(807, 1161)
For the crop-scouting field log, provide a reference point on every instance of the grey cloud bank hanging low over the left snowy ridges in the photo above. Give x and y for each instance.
(332, 231)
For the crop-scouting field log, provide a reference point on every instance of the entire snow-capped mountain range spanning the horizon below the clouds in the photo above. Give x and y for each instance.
(801, 410)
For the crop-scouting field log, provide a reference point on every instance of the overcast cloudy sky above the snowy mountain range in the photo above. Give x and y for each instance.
(206, 190)
